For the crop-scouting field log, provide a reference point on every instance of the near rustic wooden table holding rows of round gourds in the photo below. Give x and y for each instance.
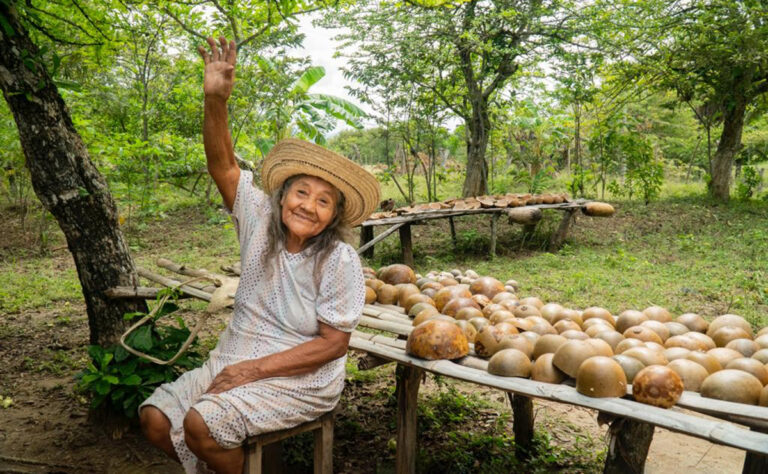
(632, 423)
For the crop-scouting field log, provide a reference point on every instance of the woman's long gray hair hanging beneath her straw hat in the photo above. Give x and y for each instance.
(320, 245)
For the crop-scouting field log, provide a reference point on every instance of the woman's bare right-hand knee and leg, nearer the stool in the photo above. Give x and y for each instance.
(199, 441)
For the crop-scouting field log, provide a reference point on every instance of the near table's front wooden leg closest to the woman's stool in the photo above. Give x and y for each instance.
(407, 390)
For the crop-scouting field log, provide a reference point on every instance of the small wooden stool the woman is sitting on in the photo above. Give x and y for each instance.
(323, 428)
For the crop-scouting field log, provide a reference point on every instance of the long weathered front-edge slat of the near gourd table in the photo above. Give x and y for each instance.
(715, 431)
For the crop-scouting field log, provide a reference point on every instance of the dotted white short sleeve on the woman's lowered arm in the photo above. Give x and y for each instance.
(342, 289)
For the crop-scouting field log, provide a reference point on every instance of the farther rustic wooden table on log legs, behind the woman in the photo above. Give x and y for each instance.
(404, 222)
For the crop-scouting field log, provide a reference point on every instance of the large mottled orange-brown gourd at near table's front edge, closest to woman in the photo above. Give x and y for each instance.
(437, 339)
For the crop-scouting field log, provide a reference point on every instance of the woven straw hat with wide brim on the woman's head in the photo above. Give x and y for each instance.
(292, 156)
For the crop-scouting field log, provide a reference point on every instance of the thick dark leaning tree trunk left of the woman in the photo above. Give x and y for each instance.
(66, 182)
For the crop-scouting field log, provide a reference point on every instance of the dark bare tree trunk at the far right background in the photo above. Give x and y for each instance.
(727, 147)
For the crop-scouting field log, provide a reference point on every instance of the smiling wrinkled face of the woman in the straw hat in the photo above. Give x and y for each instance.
(308, 207)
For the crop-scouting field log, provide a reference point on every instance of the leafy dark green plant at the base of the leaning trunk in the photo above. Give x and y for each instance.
(123, 381)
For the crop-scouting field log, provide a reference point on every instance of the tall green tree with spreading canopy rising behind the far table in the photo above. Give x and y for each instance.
(462, 53)
